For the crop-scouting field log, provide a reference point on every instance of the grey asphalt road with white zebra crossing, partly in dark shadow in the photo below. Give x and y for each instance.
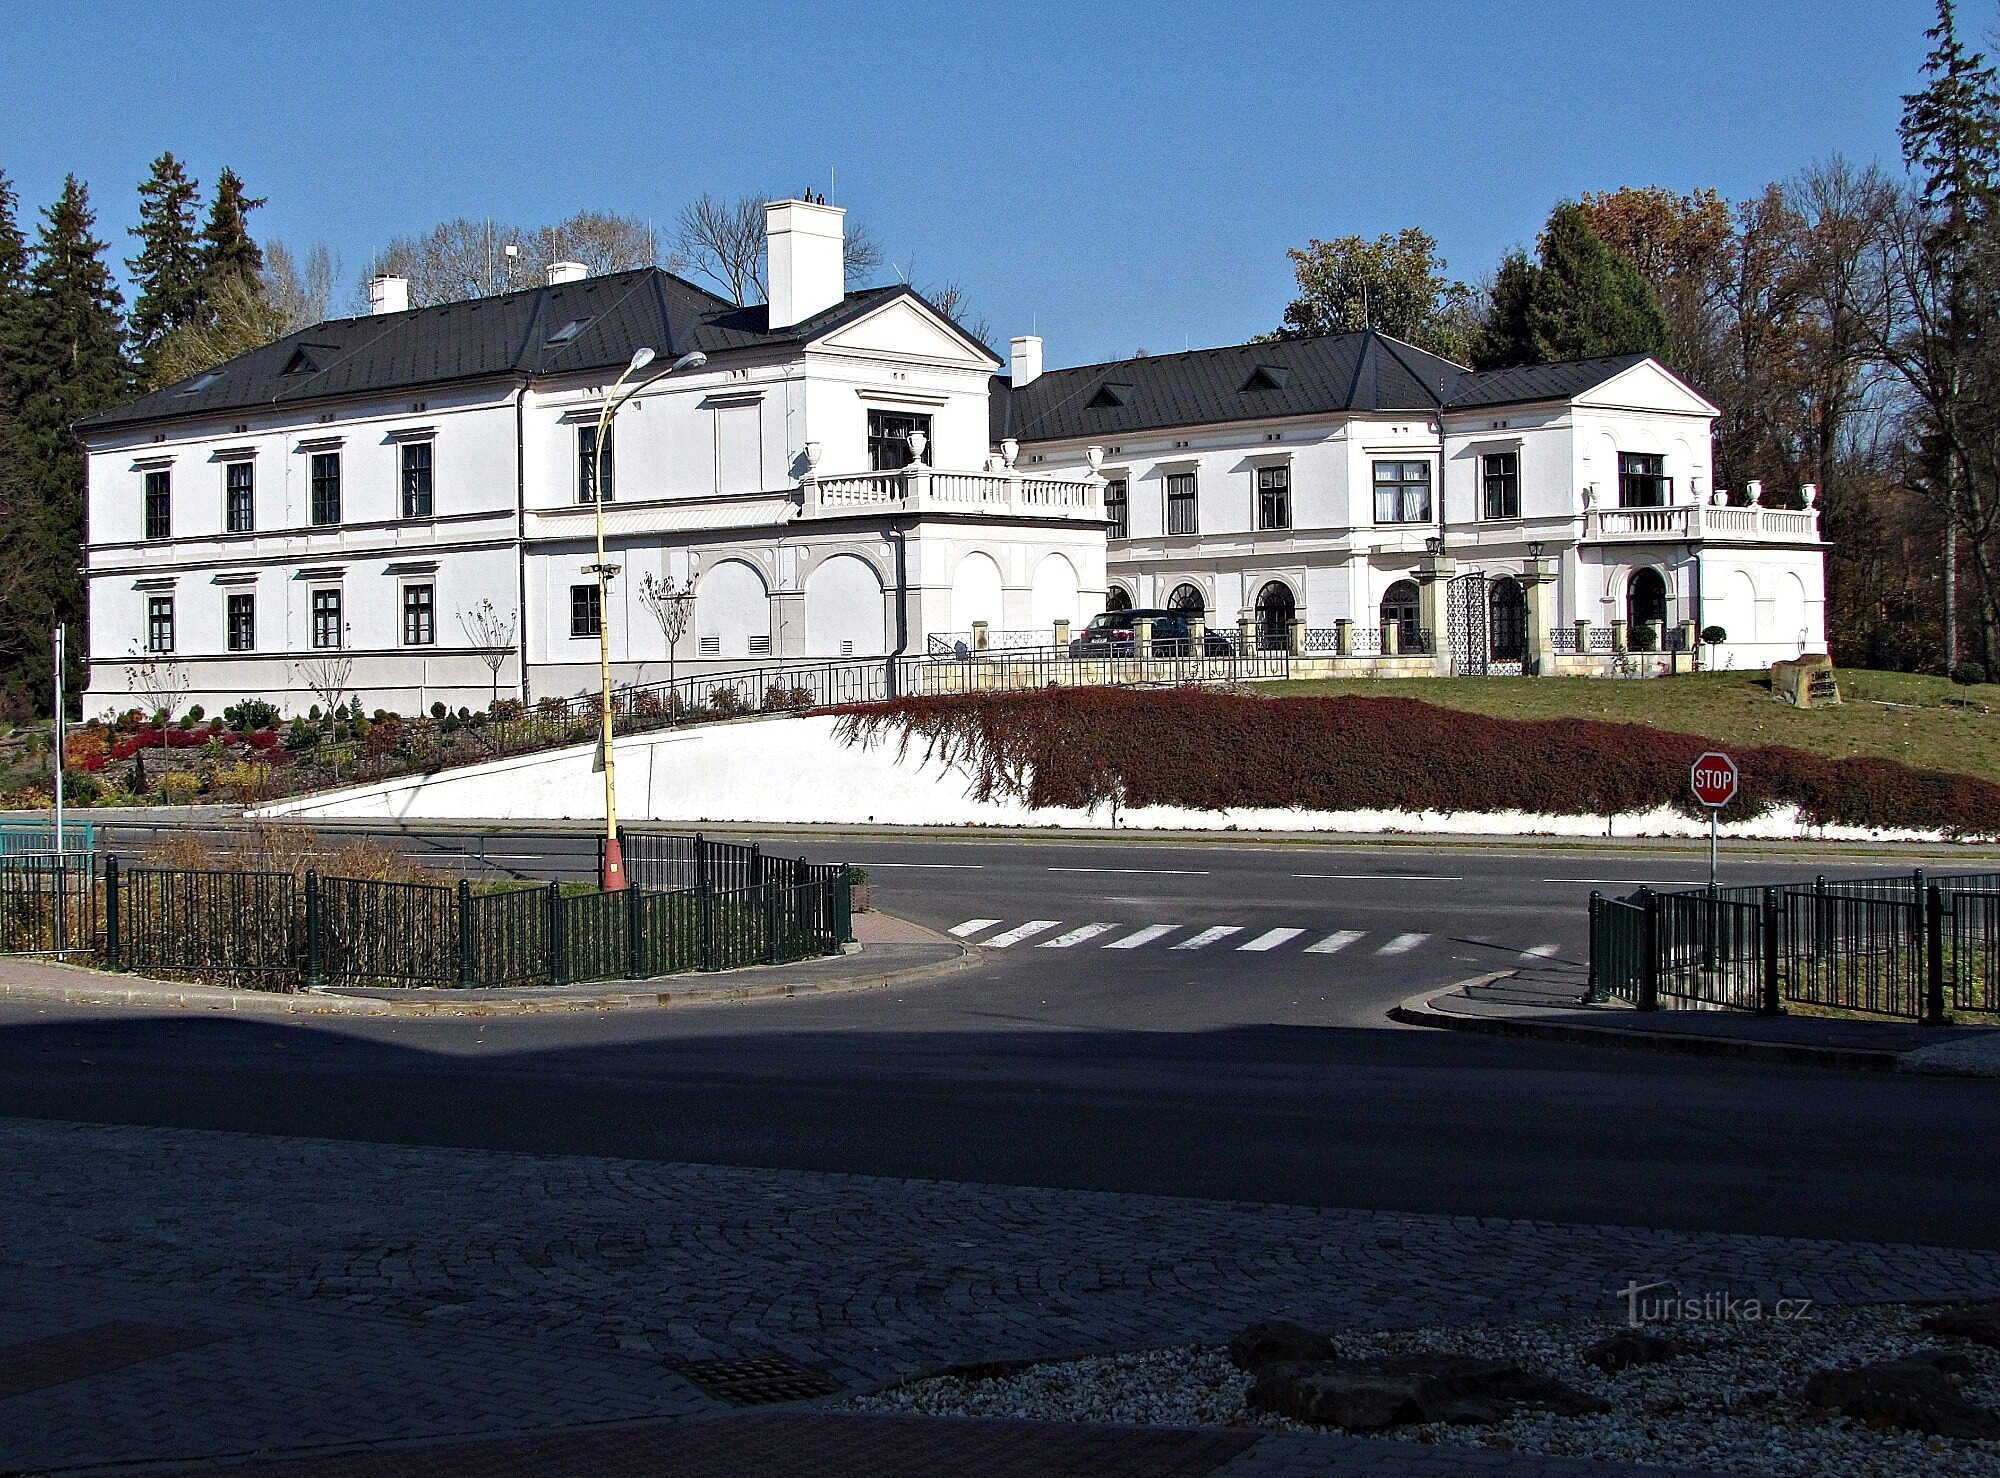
(1213, 1071)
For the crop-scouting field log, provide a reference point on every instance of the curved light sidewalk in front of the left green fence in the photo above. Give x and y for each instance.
(887, 953)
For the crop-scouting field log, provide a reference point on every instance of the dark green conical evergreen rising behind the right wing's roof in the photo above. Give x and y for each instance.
(1587, 299)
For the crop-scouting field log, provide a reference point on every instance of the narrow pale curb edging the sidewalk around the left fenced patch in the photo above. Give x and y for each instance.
(253, 1003)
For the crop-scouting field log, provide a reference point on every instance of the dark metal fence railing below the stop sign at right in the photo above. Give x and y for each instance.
(1915, 947)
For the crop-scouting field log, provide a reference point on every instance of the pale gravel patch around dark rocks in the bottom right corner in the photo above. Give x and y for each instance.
(1729, 1405)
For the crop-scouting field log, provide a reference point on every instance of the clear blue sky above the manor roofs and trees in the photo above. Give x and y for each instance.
(1117, 177)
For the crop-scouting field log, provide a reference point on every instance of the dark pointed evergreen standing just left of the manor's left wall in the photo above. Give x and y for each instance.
(67, 353)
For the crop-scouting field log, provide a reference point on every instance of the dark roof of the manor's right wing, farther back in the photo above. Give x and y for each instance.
(1289, 377)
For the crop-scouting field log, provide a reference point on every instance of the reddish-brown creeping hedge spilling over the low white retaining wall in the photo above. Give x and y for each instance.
(1211, 751)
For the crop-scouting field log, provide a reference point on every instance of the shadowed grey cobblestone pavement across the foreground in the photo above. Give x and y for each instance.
(227, 1299)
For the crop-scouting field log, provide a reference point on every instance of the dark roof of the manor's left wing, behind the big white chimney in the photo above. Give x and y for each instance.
(507, 335)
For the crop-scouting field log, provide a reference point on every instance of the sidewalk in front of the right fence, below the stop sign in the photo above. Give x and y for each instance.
(1545, 1003)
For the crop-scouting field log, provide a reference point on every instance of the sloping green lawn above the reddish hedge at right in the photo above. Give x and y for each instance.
(1919, 721)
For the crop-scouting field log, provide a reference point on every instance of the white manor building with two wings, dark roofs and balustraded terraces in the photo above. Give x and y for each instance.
(847, 477)
